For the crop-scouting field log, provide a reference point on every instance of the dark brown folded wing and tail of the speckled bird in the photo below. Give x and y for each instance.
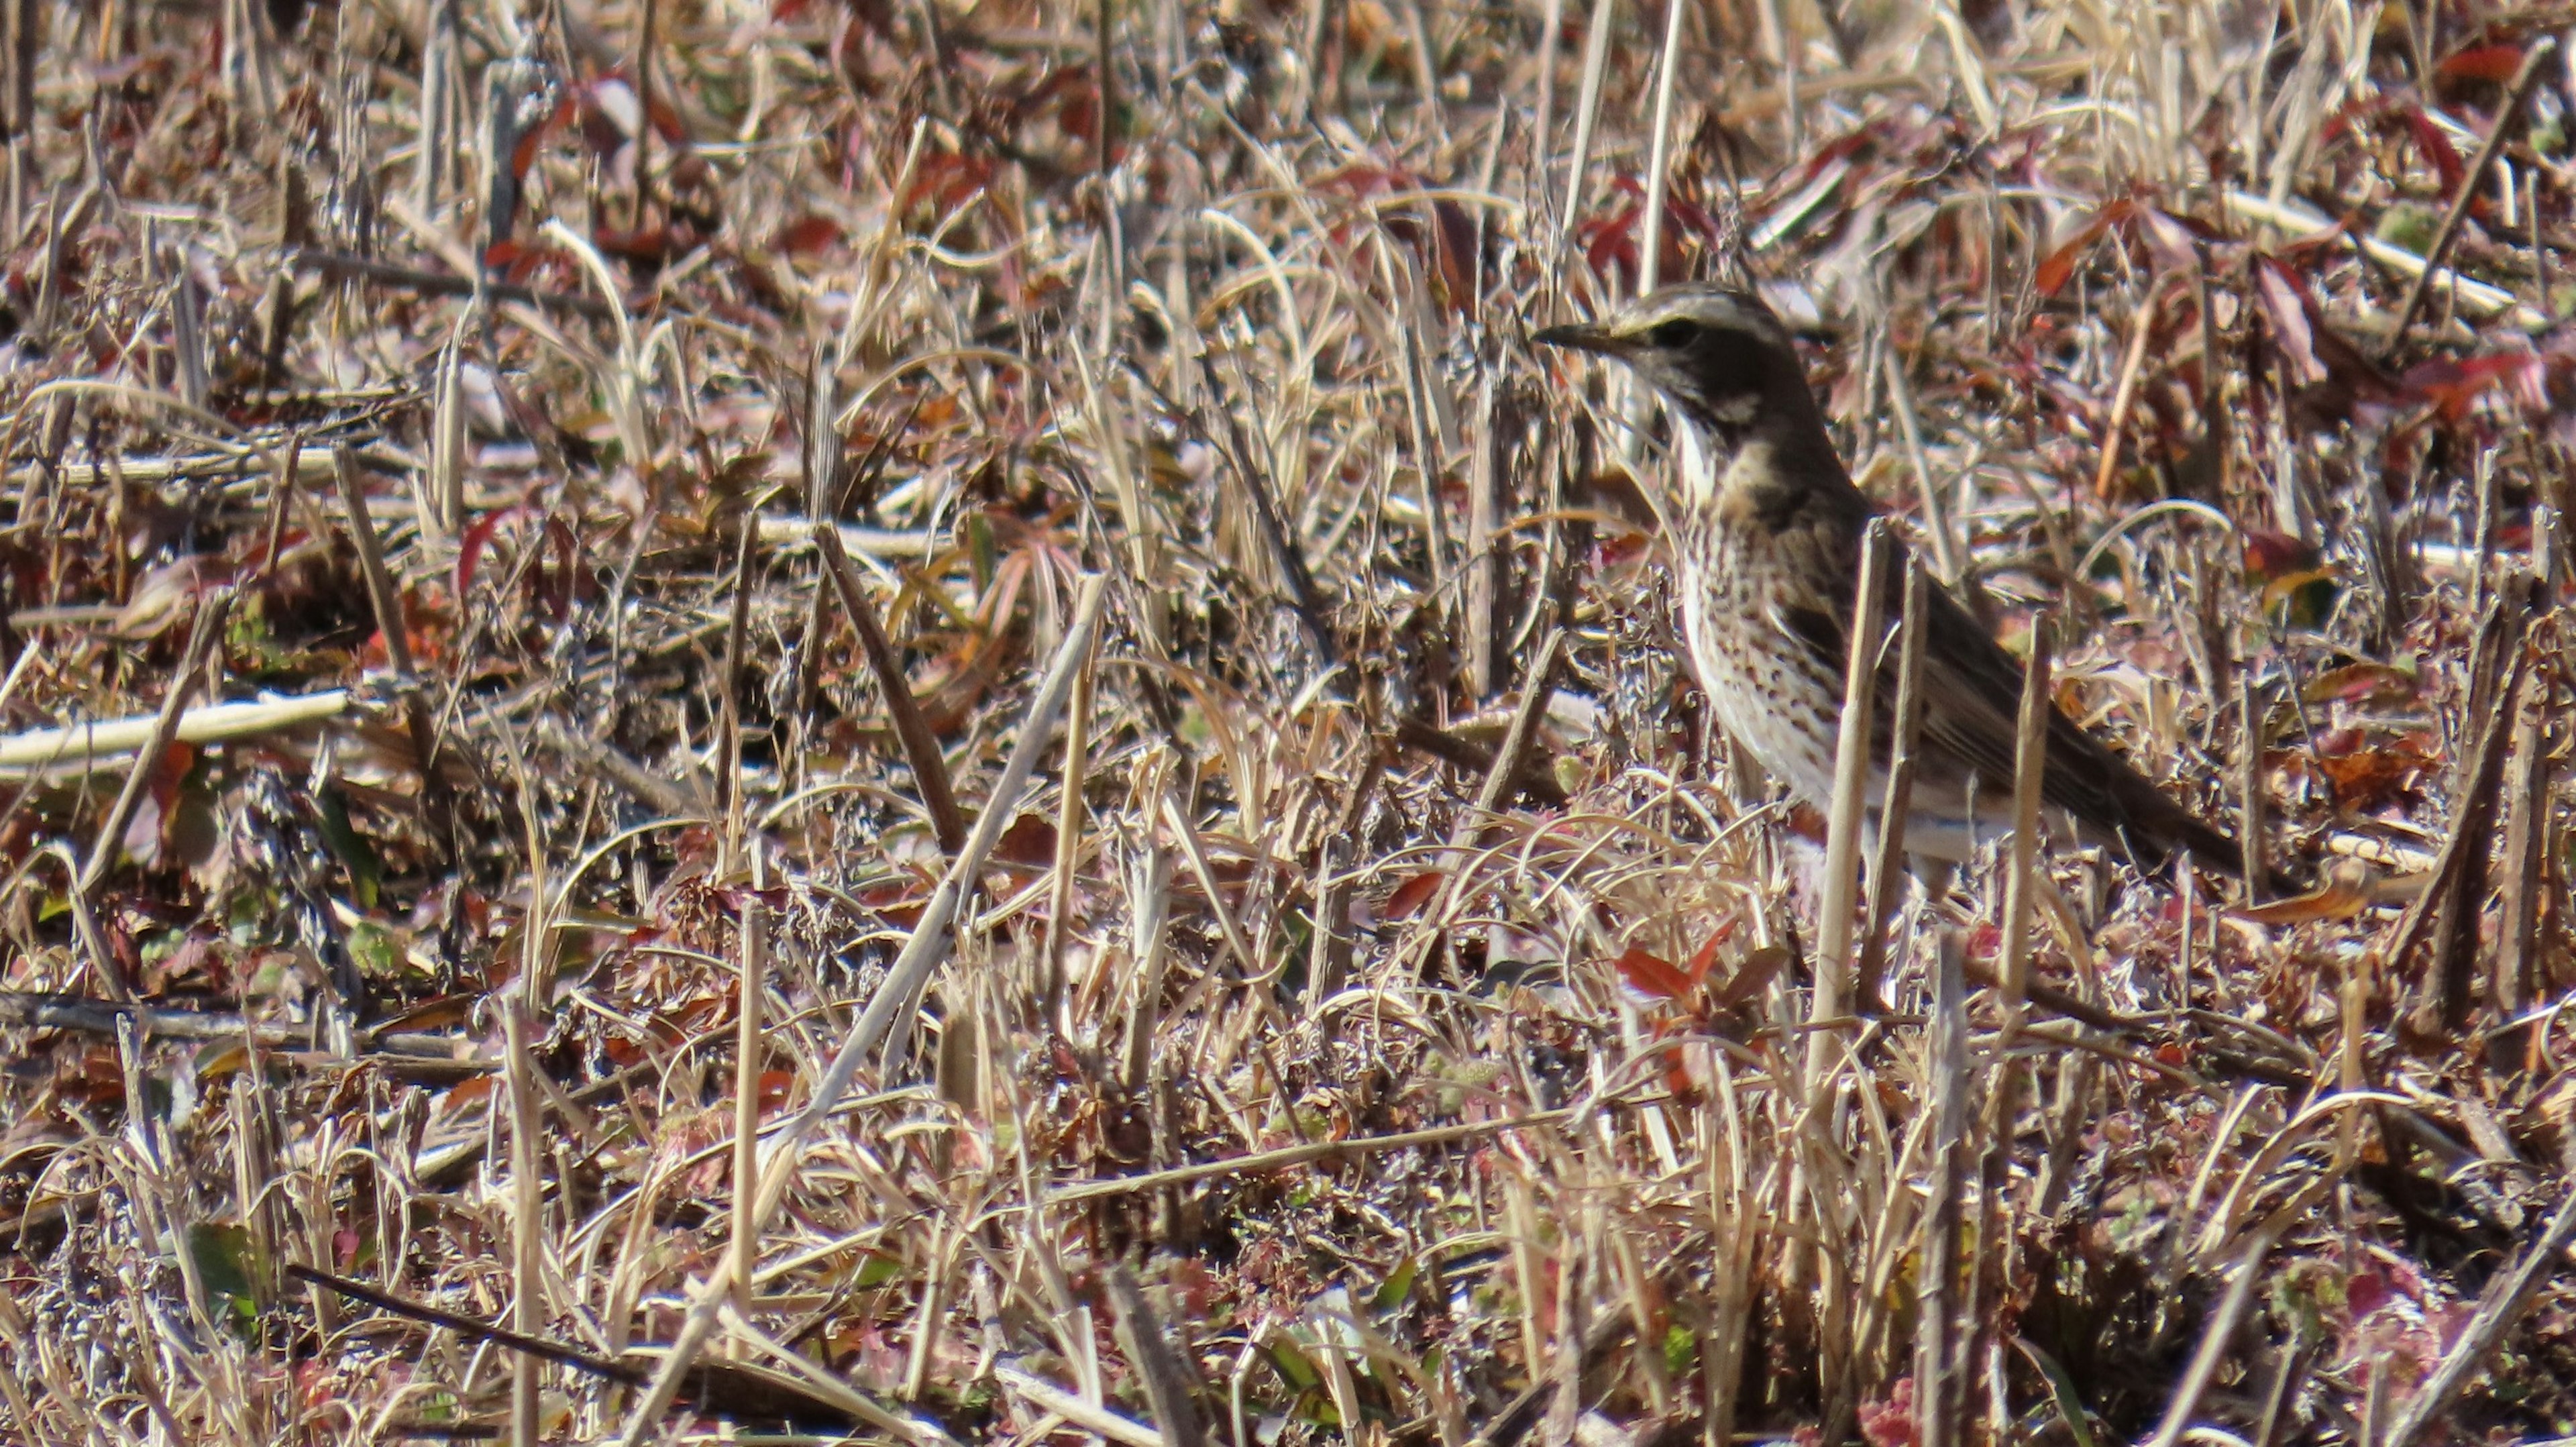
(1972, 702)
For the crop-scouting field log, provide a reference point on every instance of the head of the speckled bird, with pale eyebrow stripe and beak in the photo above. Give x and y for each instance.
(1717, 354)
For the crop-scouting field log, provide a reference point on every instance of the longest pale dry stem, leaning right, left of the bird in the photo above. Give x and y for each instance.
(905, 980)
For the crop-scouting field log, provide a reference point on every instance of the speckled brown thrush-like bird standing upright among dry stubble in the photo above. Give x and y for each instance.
(1766, 539)
